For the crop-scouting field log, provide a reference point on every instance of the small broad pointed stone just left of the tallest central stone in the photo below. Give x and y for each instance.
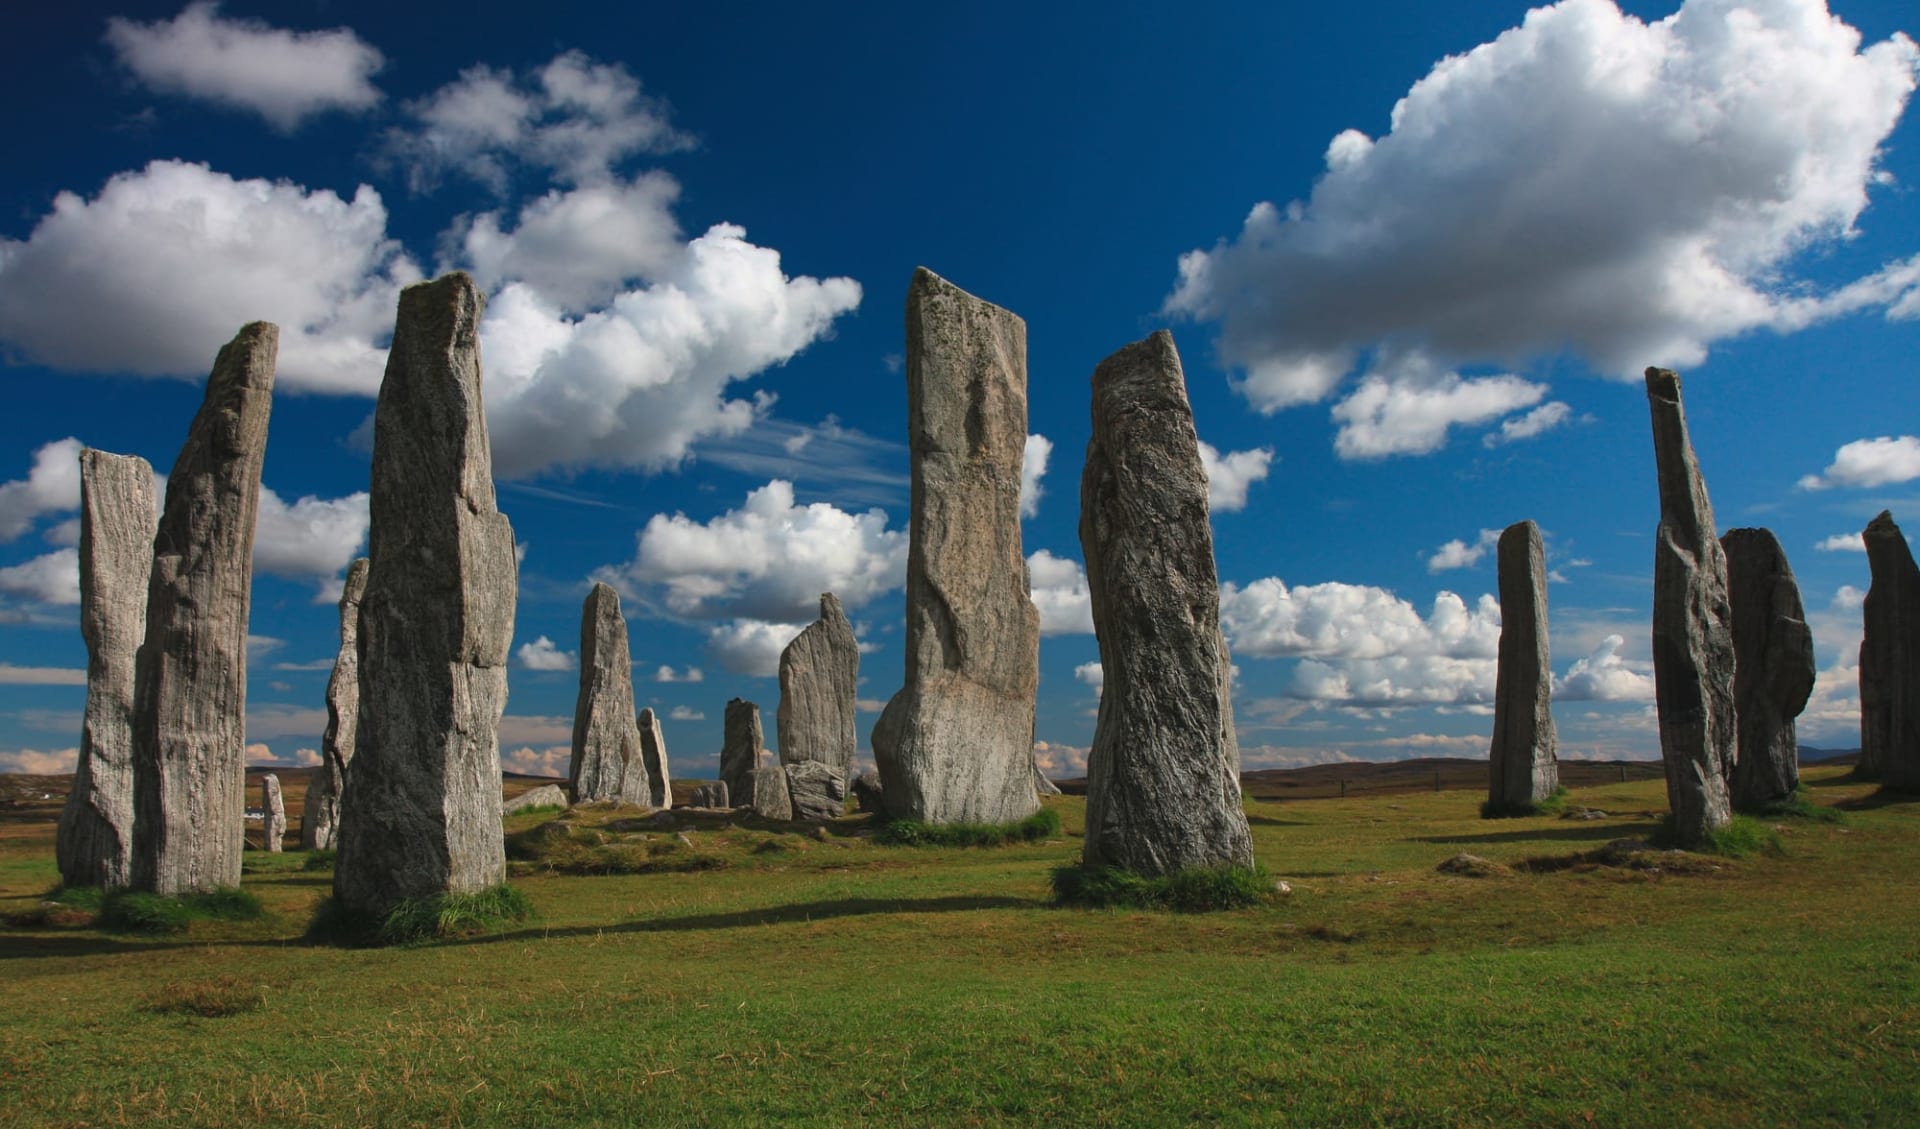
(819, 681)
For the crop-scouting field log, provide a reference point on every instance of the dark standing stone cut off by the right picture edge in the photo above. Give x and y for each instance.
(1890, 660)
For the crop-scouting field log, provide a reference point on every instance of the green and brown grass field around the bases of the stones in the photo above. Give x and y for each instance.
(828, 980)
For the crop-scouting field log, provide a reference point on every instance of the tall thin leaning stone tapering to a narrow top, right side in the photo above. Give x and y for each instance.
(1692, 635)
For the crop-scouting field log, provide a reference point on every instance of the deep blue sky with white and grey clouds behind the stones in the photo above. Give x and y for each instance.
(1414, 258)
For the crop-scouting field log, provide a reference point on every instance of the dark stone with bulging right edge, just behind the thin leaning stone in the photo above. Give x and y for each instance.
(1773, 667)
